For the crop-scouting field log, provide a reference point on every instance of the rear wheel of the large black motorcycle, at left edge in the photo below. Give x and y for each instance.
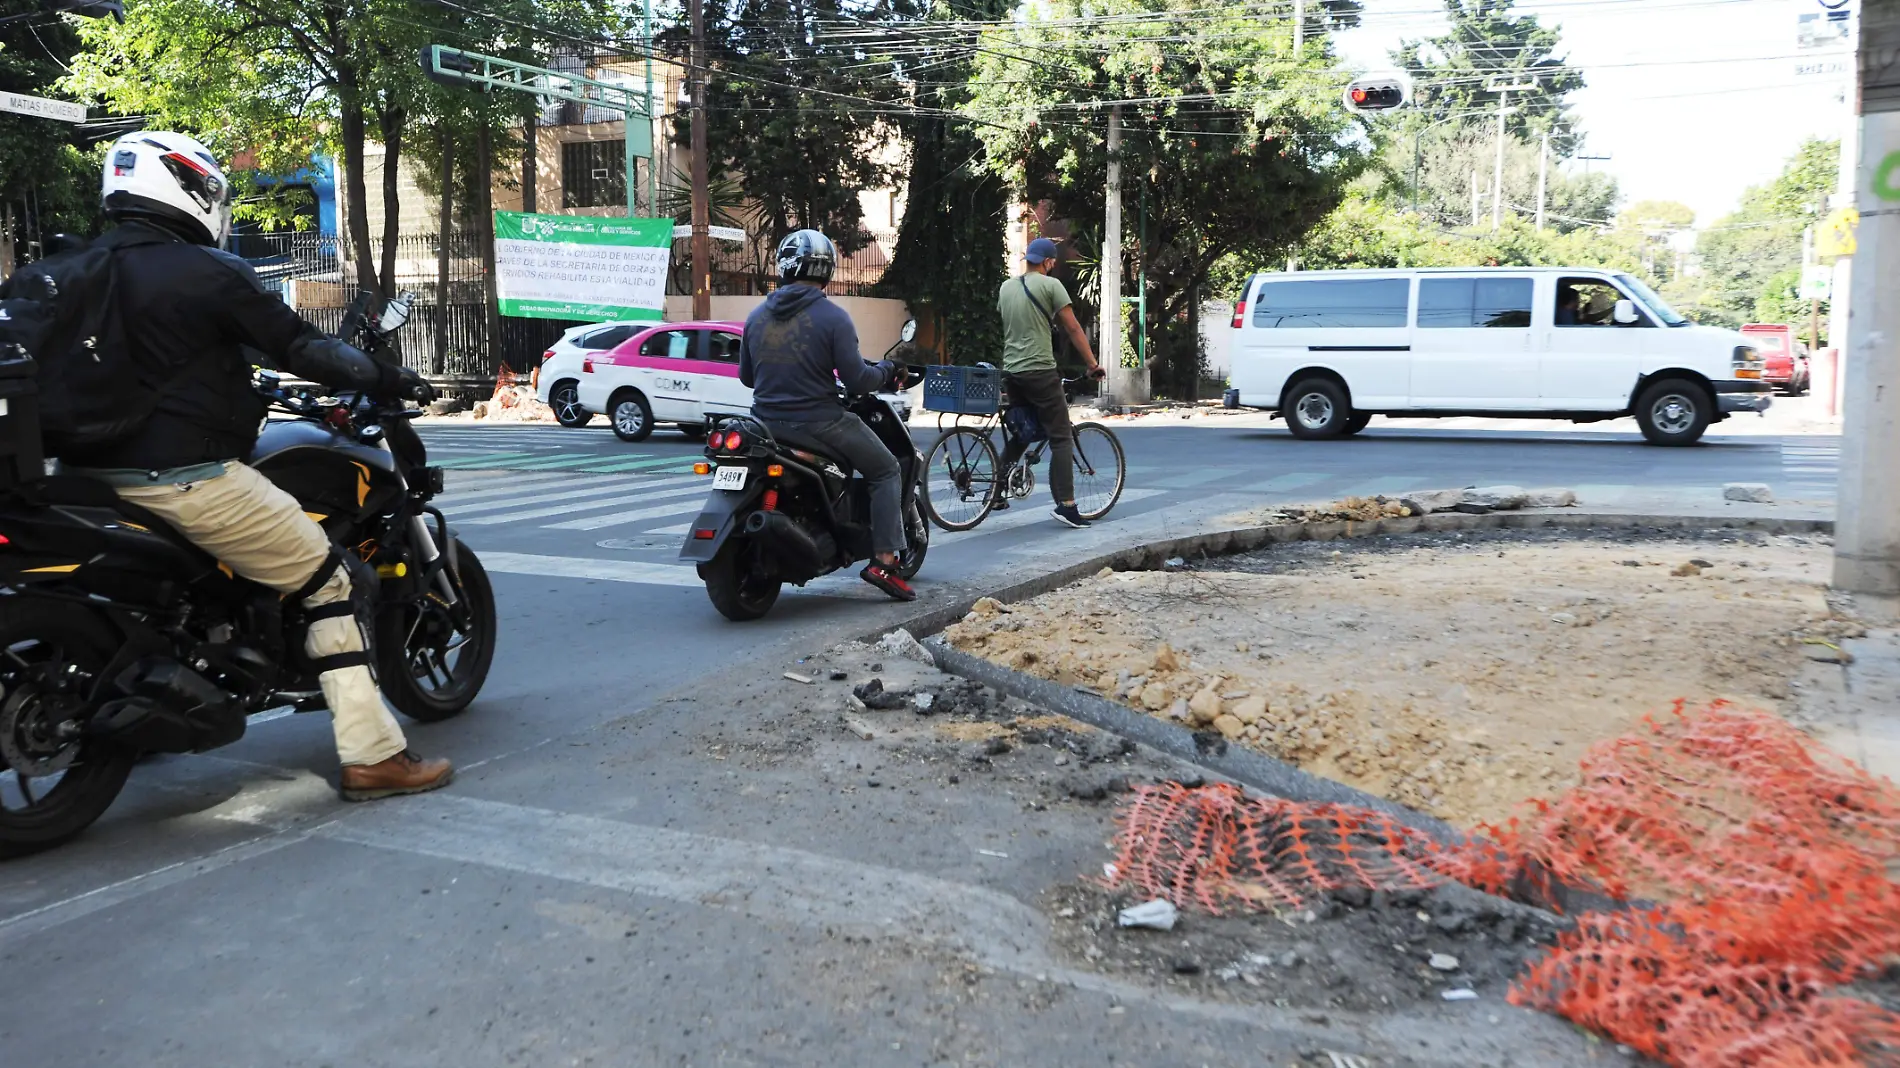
(54, 782)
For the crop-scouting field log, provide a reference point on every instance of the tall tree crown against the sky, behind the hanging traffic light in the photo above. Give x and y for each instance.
(1485, 47)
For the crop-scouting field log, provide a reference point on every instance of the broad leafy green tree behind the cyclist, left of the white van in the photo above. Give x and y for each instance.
(1236, 142)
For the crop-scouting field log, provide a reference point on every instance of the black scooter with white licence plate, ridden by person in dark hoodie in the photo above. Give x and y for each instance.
(782, 510)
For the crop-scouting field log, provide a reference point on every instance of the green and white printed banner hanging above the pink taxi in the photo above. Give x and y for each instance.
(582, 267)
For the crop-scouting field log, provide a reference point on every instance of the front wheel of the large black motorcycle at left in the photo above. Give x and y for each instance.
(434, 658)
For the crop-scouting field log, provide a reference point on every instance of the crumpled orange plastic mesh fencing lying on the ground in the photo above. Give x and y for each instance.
(1755, 860)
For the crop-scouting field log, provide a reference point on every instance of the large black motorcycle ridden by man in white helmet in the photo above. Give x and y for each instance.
(119, 638)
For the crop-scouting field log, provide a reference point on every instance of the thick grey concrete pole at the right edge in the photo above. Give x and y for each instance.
(1867, 548)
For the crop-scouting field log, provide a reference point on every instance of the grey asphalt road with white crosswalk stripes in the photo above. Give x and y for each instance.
(229, 911)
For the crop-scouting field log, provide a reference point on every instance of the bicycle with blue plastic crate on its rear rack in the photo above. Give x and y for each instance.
(960, 478)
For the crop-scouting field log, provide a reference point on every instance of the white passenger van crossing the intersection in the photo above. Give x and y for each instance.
(1329, 351)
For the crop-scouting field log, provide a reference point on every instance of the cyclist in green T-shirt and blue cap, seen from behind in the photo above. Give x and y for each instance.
(1033, 307)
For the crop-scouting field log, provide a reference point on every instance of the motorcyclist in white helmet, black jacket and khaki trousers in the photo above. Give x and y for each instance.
(197, 309)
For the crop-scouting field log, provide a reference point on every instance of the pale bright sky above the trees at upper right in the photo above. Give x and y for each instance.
(1694, 100)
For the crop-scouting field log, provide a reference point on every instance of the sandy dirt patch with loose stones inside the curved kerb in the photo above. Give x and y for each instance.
(1458, 674)
